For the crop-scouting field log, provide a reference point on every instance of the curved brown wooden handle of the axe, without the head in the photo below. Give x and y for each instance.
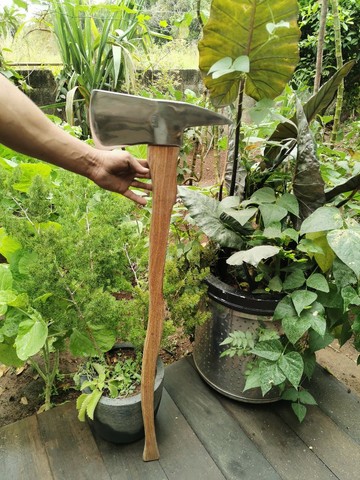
(163, 167)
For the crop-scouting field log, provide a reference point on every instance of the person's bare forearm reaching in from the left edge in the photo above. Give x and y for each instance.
(26, 129)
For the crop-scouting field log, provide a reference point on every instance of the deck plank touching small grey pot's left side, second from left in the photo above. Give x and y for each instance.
(70, 446)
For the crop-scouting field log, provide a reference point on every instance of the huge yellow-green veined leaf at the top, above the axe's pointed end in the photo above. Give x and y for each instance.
(264, 31)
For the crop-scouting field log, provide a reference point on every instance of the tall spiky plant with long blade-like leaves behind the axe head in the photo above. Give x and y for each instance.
(98, 46)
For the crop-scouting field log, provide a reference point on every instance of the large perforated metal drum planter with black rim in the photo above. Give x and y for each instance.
(231, 310)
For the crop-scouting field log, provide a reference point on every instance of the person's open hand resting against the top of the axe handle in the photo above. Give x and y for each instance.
(117, 171)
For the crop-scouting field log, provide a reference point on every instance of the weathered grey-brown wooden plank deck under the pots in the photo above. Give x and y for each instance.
(202, 436)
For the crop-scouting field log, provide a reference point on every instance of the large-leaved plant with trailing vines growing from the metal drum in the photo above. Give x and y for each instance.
(285, 231)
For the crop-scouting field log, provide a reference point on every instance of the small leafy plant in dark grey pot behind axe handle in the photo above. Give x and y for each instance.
(111, 398)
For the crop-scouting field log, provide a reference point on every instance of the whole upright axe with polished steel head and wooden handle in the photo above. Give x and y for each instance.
(118, 119)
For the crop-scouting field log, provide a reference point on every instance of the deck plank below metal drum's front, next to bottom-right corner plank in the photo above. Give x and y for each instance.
(288, 454)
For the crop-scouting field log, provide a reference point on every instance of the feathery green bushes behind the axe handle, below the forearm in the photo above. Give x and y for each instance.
(75, 265)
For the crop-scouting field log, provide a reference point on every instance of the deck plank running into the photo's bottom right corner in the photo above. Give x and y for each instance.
(331, 444)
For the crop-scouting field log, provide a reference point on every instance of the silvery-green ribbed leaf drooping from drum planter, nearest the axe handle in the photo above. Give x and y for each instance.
(204, 211)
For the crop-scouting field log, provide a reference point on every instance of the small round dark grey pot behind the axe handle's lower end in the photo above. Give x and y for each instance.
(119, 420)
